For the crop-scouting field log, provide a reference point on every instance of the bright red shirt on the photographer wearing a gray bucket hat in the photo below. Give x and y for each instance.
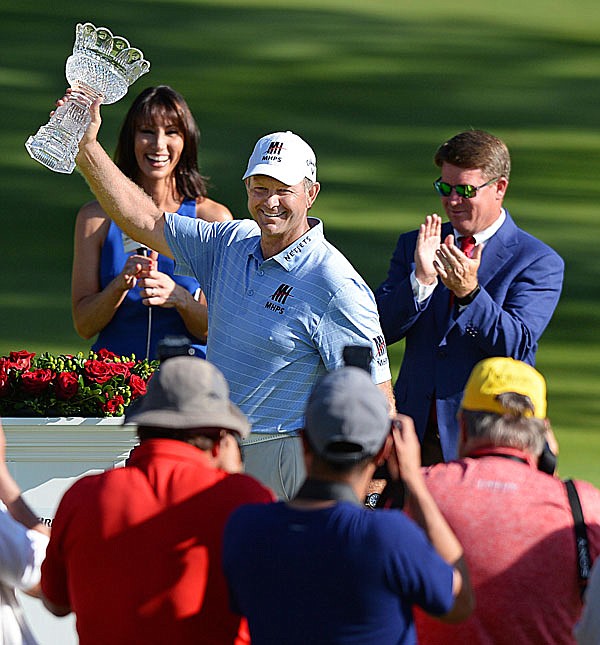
(136, 551)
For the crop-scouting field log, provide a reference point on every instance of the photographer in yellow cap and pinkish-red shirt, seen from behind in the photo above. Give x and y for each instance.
(513, 519)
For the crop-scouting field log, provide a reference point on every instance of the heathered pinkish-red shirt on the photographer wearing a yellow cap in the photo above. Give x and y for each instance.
(516, 527)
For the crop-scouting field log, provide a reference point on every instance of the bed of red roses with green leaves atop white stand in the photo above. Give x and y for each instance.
(99, 385)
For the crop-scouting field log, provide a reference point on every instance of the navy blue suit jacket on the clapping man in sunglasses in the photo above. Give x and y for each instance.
(520, 278)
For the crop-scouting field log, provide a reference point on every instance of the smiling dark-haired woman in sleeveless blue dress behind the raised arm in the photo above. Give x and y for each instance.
(130, 297)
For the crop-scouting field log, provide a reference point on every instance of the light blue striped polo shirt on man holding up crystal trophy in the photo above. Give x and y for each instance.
(276, 325)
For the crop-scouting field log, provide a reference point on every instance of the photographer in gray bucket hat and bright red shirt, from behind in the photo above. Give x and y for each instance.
(135, 552)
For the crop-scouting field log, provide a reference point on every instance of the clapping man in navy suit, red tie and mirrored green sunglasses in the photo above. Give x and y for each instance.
(458, 307)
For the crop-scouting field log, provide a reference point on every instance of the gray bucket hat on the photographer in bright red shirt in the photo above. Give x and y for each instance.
(188, 392)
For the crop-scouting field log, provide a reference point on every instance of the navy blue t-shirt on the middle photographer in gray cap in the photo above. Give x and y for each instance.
(343, 574)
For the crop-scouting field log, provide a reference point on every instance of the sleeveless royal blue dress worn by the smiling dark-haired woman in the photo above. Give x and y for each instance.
(127, 332)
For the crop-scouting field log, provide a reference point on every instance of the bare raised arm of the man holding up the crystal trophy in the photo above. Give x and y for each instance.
(123, 200)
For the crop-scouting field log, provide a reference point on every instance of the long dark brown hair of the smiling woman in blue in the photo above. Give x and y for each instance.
(164, 103)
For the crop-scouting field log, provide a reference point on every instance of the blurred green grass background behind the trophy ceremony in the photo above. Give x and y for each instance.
(374, 87)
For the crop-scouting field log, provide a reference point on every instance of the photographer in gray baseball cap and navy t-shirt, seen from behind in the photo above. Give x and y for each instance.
(350, 574)
